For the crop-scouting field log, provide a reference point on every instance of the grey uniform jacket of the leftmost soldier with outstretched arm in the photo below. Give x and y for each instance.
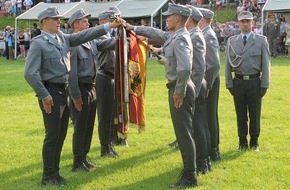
(49, 59)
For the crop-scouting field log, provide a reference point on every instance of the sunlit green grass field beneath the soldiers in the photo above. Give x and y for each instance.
(147, 163)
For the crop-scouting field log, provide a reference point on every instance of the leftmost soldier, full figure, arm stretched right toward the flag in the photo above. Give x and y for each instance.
(46, 70)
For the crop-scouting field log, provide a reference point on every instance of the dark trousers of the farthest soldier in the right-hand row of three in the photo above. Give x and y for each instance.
(212, 113)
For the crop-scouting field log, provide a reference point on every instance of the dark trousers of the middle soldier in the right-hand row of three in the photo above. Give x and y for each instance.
(200, 127)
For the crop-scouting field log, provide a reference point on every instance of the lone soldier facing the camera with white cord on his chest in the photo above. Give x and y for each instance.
(248, 57)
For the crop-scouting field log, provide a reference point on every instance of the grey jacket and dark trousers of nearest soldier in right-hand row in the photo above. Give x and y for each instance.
(177, 48)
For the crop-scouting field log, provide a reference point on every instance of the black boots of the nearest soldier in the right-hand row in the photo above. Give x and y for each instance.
(187, 179)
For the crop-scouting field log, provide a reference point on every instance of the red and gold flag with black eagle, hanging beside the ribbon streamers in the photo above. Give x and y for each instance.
(137, 79)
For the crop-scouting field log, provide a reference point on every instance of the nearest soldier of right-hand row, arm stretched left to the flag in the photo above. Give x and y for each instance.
(177, 48)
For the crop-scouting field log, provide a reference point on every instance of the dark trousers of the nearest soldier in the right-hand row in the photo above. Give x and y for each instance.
(182, 123)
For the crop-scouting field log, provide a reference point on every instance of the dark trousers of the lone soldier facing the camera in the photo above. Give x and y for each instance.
(247, 100)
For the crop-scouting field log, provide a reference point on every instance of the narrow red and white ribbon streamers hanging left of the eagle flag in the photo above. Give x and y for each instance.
(121, 83)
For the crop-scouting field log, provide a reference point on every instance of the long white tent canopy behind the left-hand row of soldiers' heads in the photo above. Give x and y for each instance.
(128, 8)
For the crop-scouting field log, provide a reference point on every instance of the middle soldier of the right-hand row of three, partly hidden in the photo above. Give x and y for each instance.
(201, 131)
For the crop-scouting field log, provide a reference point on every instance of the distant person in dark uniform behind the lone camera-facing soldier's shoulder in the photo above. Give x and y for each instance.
(272, 31)
